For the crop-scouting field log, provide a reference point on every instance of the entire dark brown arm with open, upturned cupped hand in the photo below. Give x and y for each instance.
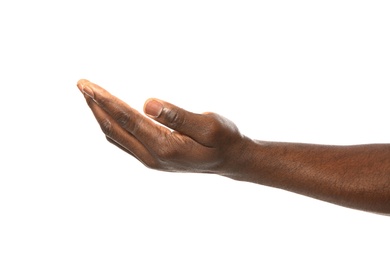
(355, 176)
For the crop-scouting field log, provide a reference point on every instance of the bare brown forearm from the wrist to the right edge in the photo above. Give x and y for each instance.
(352, 176)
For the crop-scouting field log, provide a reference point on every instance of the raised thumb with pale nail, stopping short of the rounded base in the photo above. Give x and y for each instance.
(176, 118)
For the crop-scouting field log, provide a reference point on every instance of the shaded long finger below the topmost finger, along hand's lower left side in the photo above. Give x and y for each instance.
(121, 137)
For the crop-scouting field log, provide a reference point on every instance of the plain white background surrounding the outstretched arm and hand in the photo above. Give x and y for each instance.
(297, 71)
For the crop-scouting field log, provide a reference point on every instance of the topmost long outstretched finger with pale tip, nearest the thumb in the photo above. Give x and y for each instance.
(125, 116)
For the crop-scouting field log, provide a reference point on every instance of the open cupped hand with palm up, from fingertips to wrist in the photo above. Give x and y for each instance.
(190, 142)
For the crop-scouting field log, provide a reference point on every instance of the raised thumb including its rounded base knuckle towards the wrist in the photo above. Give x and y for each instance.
(203, 128)
